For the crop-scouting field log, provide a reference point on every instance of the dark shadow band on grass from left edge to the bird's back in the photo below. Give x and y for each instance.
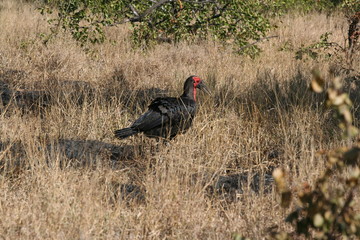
(69, 93)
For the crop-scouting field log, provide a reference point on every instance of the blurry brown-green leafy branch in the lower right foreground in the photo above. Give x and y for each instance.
(326, 211)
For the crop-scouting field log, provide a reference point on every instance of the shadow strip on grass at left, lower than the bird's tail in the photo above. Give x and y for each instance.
(68, 153)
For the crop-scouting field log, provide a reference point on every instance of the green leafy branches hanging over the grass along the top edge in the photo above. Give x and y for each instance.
(234, 21)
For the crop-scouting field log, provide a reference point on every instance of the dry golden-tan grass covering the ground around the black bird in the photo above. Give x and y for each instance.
(65, 176)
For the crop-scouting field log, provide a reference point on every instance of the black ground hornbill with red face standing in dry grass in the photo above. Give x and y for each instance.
(167, 116)
